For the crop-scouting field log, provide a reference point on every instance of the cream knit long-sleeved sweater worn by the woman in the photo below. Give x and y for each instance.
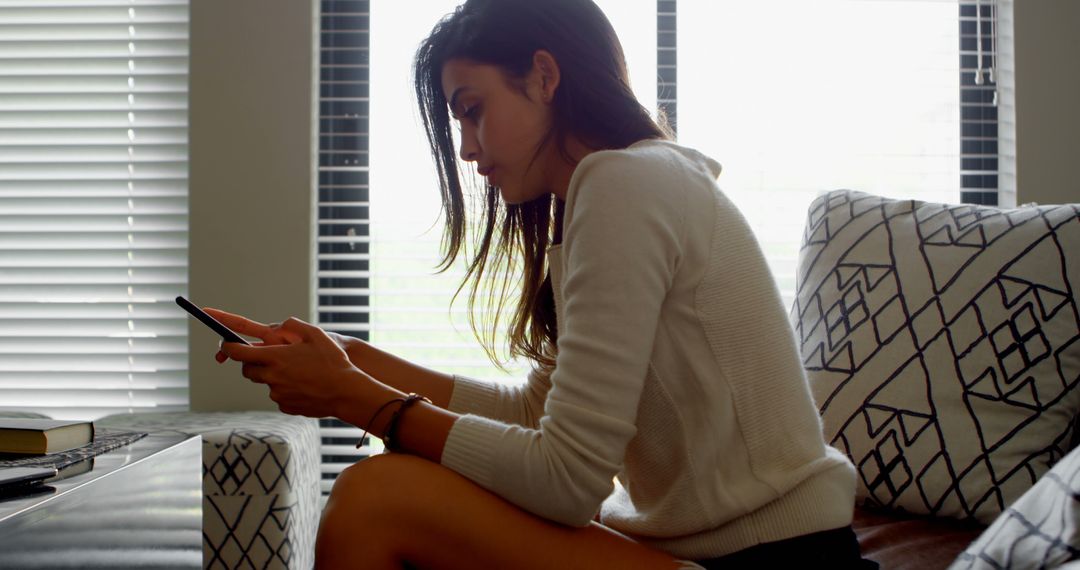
(678, 373)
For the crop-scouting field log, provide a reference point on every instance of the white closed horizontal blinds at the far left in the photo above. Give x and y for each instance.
(93, 206)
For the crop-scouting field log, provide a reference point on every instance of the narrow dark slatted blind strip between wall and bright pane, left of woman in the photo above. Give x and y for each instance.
(344, 236)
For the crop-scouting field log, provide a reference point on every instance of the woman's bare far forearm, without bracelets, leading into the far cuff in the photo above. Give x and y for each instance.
(399, 373)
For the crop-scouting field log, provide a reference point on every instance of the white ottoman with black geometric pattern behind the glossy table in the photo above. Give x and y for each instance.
(261, 484)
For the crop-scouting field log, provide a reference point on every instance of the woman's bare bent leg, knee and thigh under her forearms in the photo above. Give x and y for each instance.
(390, 510)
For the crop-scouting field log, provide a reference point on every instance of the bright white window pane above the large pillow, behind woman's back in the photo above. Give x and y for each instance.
(796, 98)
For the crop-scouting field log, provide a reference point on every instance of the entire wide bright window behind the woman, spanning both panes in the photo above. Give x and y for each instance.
(793, 98)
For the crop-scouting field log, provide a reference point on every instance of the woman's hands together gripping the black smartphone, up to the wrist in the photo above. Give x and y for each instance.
(307, 372)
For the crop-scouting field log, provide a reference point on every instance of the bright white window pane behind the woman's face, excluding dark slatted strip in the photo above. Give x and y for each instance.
(412, 314)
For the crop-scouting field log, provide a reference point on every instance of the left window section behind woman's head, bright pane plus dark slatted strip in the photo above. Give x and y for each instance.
(376, 275)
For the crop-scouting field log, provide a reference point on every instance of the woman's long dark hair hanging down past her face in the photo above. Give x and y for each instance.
(593, 103)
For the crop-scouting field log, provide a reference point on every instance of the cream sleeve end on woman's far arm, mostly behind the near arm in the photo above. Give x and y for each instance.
(520, 404)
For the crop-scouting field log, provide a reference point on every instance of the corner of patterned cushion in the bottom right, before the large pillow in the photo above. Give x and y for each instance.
(1039, 531)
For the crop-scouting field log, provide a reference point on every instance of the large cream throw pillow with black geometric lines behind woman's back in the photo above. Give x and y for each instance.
(943, 346)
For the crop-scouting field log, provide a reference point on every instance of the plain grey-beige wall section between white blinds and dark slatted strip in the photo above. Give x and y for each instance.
(254, 167)
